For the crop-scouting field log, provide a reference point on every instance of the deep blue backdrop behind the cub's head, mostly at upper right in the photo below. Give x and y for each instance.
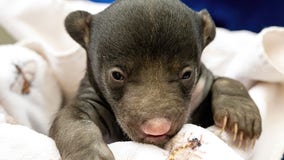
(251, 15)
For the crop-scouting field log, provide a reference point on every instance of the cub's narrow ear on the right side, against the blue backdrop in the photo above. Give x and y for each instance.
(209, 29)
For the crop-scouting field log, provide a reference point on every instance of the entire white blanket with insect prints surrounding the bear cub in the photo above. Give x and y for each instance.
(52, 64)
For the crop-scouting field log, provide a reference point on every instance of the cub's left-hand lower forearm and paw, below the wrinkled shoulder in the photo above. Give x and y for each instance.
(78, 138)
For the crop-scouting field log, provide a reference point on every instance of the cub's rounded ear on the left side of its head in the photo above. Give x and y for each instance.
(77, 25)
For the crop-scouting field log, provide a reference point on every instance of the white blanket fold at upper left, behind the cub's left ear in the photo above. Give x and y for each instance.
(39, 25)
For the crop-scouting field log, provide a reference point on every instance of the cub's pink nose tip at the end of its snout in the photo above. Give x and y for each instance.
(156, 126)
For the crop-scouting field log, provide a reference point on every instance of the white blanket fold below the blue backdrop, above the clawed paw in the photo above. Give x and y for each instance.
(247, 56)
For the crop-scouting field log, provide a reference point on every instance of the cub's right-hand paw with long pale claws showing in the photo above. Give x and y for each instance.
(234, 110)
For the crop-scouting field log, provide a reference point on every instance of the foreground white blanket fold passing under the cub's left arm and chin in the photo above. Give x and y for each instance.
(21, 143)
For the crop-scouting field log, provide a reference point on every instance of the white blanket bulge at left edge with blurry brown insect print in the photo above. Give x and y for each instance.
(29, 91)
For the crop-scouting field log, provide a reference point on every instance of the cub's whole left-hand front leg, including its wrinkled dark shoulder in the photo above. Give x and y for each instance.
(79, 128)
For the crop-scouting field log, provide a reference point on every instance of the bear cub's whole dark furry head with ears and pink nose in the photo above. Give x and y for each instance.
(144, 60)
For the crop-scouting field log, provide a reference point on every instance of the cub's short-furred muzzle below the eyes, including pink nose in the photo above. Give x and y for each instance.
(152, 112)
